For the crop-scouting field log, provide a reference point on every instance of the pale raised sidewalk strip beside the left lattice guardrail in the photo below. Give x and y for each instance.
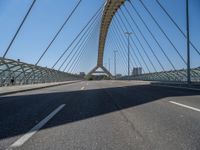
(23, 88)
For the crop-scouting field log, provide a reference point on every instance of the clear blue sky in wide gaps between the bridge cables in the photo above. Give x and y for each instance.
(48, 15)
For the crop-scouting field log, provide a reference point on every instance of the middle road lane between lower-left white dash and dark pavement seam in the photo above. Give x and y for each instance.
(89, 122)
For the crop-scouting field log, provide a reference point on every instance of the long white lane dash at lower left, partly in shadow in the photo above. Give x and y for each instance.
(35, 129)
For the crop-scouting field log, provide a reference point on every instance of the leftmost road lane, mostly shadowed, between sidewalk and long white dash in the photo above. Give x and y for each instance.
(20, 112)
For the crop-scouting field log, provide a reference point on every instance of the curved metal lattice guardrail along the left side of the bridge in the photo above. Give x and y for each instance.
(19, 73)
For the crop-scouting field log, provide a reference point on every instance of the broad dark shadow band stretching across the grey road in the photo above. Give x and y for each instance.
(18, 114)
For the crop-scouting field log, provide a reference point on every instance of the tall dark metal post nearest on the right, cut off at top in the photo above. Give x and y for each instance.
(188, 42)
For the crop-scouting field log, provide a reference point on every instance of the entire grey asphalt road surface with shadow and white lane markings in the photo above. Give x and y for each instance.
(101, 115)
